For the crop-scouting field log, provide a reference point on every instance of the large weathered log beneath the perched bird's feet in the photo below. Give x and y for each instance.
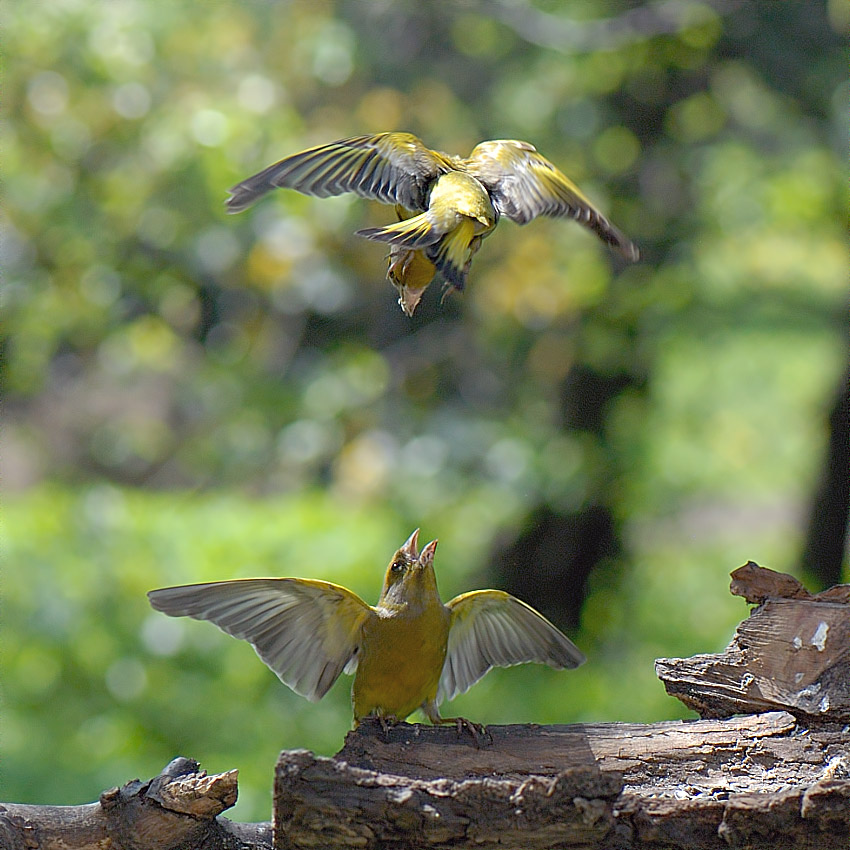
(682, 784)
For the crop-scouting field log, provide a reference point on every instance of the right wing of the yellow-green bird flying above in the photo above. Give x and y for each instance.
(523, 185)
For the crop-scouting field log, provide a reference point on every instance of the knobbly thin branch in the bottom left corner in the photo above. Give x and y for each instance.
(176, 809)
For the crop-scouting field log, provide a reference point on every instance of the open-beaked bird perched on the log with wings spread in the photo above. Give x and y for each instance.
(409, 651)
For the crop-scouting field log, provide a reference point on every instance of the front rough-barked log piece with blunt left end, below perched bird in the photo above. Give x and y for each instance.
(322, 802)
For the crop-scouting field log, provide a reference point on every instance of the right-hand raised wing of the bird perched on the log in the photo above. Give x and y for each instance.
(491, 628)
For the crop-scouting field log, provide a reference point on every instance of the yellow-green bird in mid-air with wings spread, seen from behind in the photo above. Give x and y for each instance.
(446, 205)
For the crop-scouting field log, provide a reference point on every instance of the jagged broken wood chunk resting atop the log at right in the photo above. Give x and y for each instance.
(792, 653)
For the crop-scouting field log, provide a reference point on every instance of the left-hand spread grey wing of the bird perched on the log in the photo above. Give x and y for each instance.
(305, 630)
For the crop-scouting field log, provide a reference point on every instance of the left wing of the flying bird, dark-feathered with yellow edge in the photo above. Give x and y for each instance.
(395, 168)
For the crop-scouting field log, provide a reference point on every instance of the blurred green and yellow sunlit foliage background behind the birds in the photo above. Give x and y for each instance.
(192, 397)
